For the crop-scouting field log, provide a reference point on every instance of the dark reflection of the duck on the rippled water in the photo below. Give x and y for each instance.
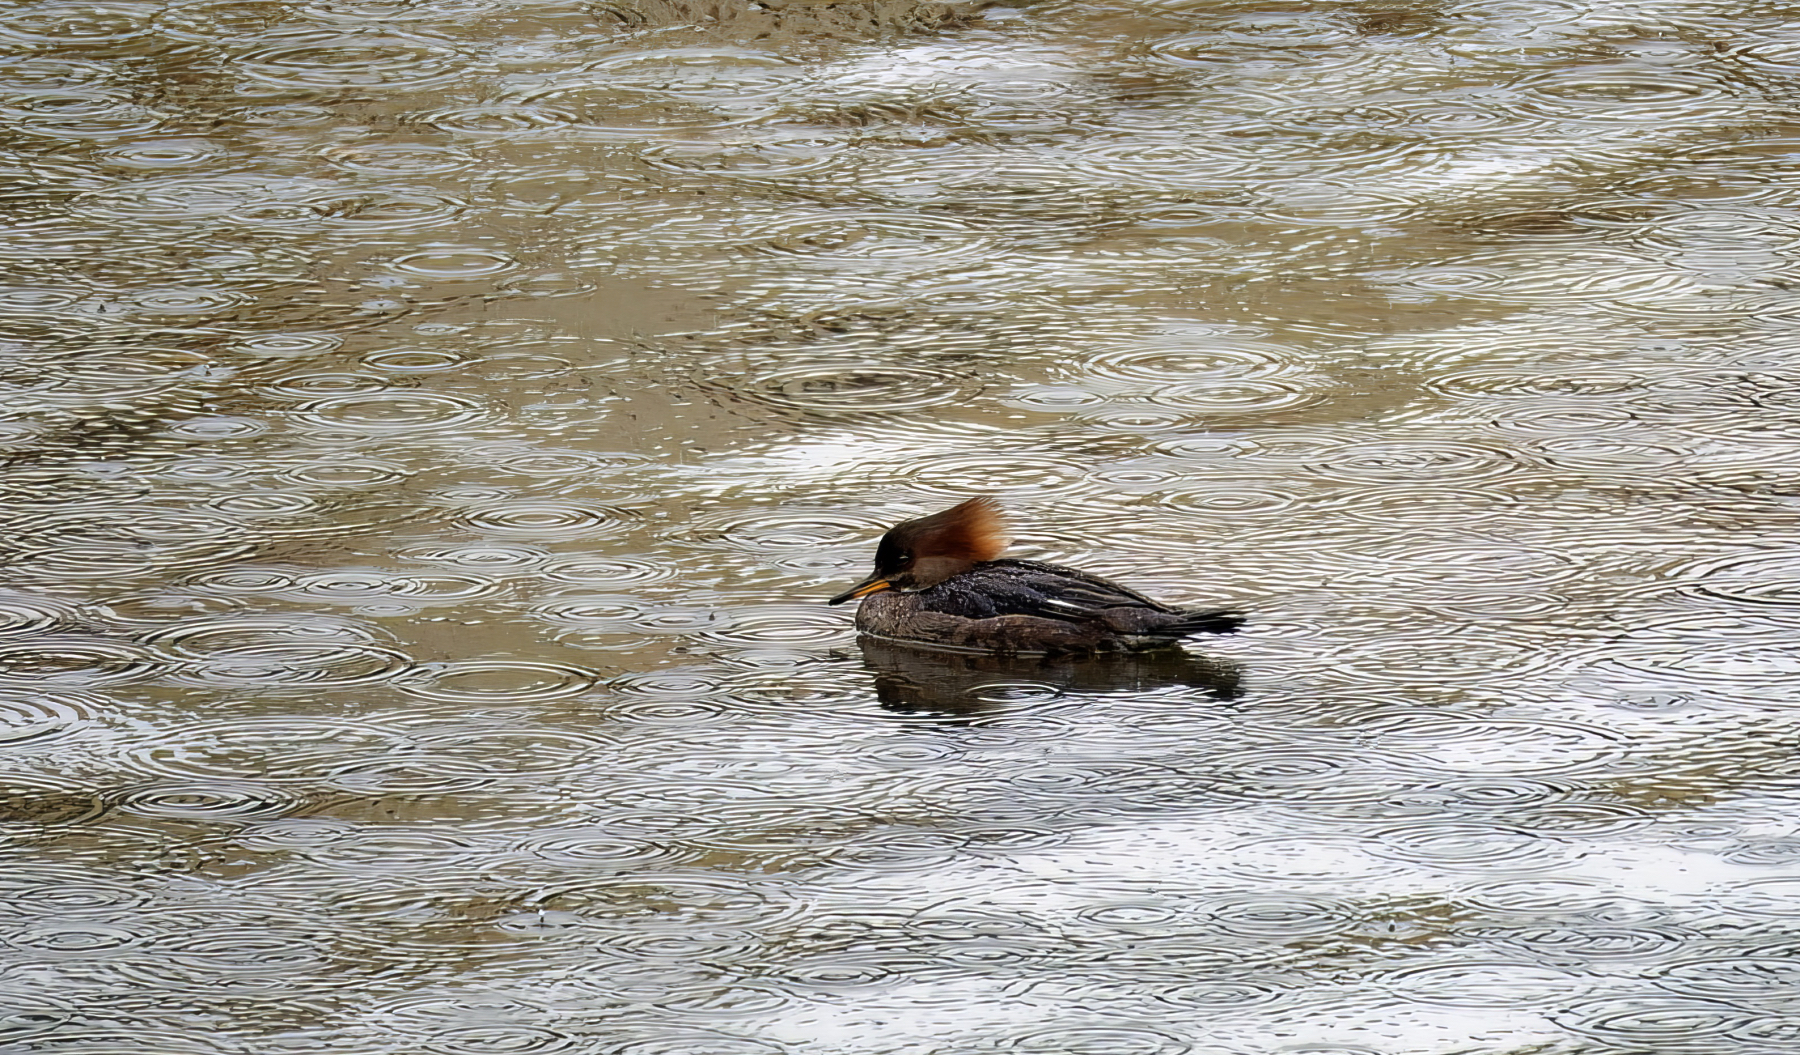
(957, 685)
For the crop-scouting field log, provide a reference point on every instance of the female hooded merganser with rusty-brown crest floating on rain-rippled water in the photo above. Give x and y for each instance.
(939, 581)
